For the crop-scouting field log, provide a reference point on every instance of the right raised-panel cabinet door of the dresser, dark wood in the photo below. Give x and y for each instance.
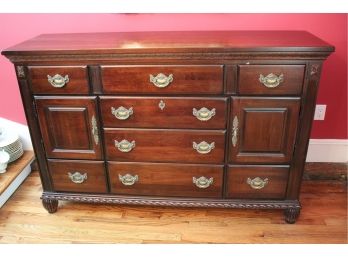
(263, 130)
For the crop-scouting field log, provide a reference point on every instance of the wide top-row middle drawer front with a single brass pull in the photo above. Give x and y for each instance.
(163, 79)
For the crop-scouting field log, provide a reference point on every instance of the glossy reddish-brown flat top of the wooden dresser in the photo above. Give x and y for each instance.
(171, 41)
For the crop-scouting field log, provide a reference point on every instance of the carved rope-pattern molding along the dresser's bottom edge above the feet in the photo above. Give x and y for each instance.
(172, 201)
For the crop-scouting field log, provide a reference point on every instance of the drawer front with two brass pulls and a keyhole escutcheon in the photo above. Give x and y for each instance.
(164, 112)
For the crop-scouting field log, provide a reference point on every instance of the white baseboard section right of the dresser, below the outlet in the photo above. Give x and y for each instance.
(328, 150)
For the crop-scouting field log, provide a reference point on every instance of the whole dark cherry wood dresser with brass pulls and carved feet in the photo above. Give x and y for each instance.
(191, 119)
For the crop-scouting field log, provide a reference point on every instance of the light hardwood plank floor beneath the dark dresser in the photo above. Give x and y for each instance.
(24, 220)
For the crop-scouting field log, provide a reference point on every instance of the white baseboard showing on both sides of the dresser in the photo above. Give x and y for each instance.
(320, 150)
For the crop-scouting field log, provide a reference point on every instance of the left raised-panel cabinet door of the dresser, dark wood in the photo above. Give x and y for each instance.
(69, 127)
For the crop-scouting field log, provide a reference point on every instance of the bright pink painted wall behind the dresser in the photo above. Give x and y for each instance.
(330, 27)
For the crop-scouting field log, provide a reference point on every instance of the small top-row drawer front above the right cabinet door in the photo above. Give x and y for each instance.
(271, 79)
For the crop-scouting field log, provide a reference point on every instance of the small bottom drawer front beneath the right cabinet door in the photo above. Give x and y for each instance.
(257, 182)
